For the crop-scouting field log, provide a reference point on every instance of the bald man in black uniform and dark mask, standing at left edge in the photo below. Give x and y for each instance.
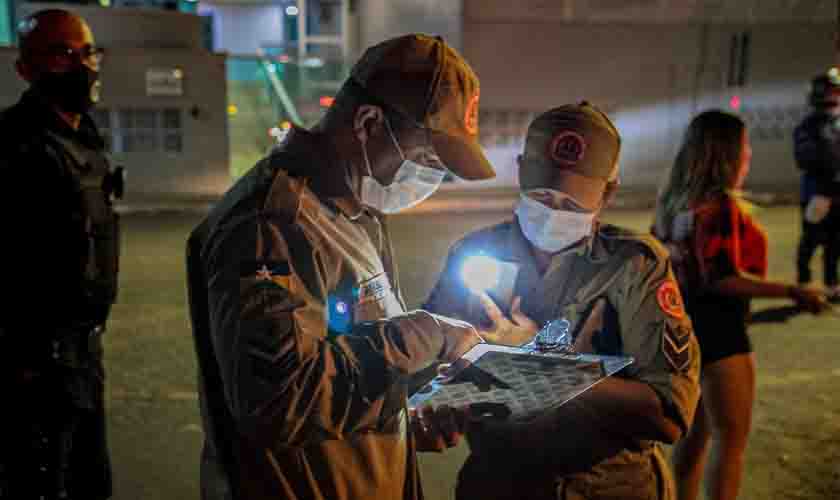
(60, 253)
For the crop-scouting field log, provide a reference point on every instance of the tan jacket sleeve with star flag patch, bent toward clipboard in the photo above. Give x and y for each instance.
(286, 379)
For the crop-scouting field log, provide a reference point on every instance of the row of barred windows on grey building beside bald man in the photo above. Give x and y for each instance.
(141, 130)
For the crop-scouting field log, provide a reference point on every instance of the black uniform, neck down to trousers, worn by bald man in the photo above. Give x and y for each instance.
(53, 312)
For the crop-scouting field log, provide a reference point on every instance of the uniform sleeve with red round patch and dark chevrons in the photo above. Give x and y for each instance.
(657, 332)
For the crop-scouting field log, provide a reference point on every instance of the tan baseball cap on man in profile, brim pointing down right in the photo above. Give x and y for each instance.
(428, 81)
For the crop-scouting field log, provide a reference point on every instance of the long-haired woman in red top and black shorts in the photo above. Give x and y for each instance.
(720, 256)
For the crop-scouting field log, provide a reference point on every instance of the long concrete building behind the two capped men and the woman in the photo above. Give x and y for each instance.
(651, 64)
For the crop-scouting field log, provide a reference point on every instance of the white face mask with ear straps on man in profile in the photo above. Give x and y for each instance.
(412, 184)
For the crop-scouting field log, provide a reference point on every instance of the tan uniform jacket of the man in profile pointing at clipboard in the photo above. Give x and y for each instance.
(303, 343)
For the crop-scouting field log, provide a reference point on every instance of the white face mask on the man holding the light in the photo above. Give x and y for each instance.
(549, 229)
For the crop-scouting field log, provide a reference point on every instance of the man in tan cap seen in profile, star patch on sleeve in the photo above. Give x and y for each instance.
(303, 341)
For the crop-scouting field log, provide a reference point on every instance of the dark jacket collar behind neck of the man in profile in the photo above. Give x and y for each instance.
(321, 168)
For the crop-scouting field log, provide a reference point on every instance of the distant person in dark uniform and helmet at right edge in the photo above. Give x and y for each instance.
(816, 143)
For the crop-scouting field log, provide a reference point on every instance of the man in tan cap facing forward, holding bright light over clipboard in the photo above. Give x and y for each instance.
(615, 292)
